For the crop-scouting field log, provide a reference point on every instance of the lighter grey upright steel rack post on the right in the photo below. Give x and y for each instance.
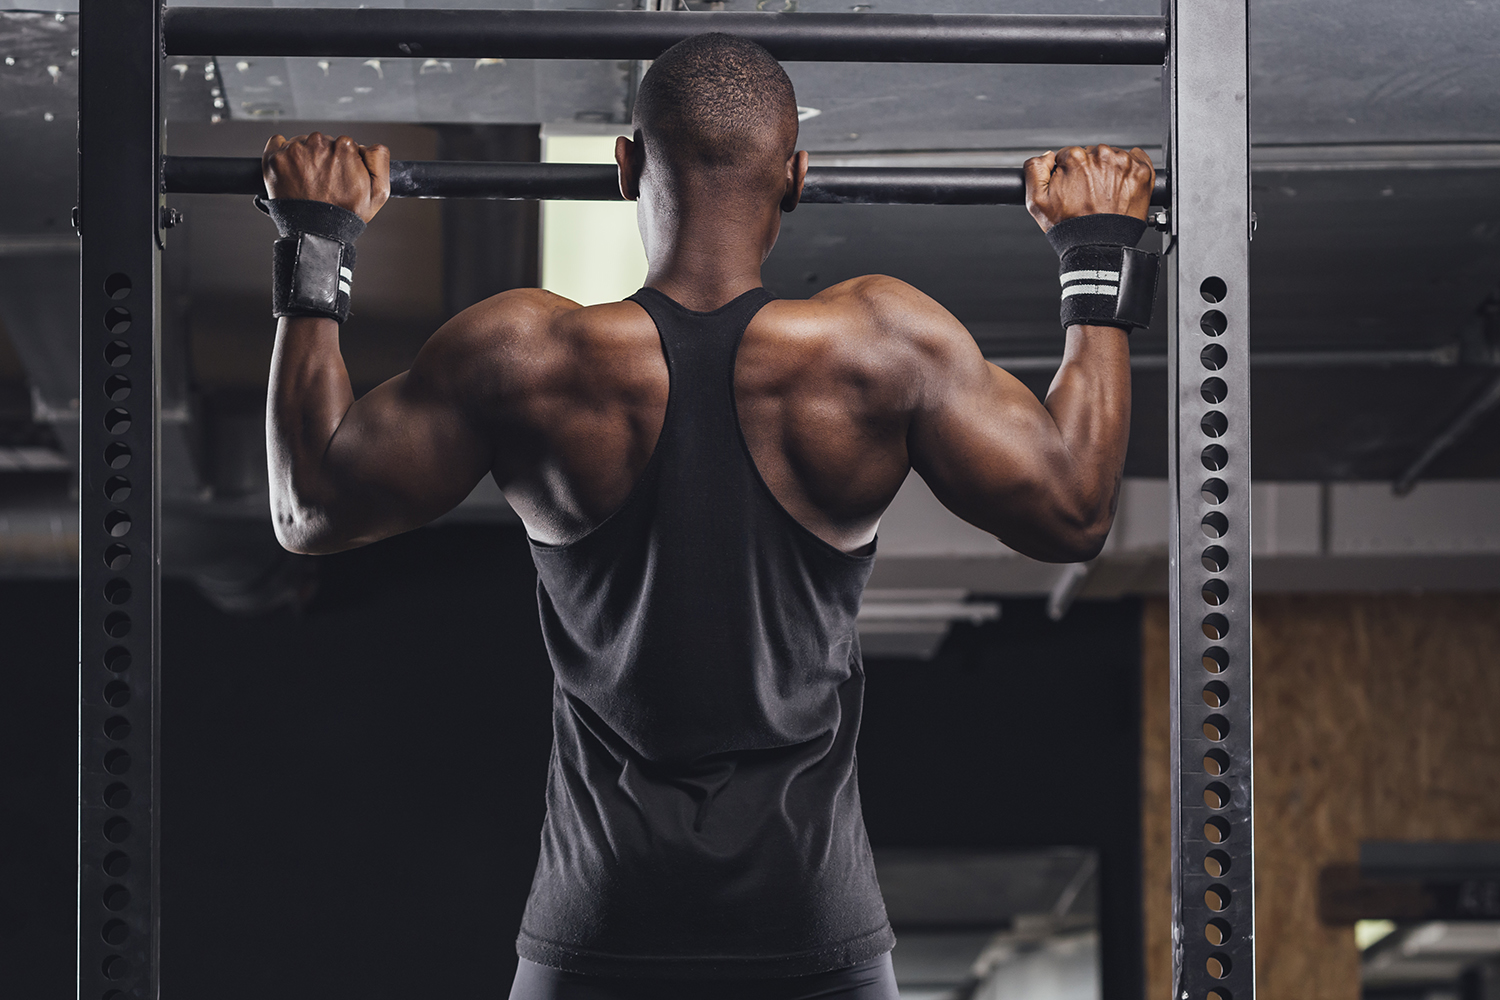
(1213, 867)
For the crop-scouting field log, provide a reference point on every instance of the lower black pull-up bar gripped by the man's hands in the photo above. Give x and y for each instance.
(598, 182)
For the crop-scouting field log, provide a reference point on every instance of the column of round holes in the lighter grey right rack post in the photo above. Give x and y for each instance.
(1217, 795)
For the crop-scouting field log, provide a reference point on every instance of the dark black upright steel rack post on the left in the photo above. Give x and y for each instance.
(118, 500)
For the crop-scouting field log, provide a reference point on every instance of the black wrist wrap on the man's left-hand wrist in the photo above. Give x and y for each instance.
(313, 265)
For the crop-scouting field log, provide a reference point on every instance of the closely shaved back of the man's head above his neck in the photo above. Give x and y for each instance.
(718, 103)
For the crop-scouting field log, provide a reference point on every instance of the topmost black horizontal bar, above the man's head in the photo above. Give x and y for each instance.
(865, 38)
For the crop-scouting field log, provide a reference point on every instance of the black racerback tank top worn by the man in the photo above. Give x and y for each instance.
(703, 800)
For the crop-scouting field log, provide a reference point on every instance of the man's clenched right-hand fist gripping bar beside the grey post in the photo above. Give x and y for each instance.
(1076, 182)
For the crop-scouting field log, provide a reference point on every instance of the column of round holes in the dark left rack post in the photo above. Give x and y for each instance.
(118, 624)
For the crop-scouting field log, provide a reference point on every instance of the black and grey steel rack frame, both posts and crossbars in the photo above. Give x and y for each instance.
(124, 181)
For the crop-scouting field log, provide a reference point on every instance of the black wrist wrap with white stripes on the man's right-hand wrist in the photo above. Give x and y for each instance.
(1106, 281)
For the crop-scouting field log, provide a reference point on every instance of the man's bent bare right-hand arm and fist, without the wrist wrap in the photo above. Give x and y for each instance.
(1042, 476)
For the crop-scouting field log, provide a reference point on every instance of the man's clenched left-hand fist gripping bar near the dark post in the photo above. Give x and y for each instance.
(340, 172)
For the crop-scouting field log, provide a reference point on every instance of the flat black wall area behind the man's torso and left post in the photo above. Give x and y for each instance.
(352, 794)
